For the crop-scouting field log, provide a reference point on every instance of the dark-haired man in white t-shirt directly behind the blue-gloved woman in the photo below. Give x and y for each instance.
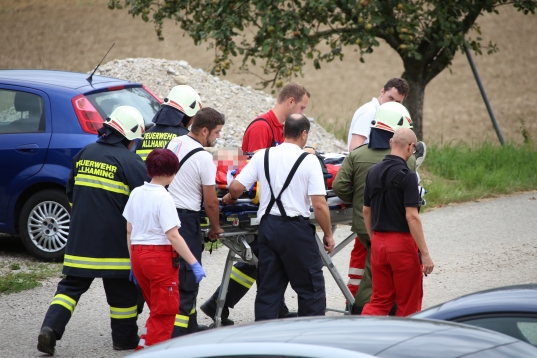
(195, 181)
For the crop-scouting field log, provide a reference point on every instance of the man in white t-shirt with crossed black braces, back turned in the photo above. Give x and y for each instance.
(288, 250)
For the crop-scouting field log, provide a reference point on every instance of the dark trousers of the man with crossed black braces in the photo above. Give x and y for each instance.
(288, 253)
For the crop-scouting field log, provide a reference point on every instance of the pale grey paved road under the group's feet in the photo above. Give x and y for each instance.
(475, 246)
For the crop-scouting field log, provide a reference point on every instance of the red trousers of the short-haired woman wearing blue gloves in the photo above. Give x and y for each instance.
(159, 281)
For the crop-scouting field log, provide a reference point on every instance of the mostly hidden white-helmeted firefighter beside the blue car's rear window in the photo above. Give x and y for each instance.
(172, 119)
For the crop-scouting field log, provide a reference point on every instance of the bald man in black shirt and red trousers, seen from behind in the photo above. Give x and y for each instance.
(398, 246)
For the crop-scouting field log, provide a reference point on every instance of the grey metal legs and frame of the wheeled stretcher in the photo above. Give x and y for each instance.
(237, 240)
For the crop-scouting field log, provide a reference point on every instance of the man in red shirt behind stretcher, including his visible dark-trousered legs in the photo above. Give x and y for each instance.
(263, 132)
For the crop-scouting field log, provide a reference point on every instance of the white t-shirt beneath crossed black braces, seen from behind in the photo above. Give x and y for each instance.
(308, 179)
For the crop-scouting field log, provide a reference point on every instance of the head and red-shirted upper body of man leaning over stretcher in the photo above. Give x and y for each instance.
(267, 130)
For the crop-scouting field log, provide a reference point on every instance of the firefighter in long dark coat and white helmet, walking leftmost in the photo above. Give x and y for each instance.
(102, 176)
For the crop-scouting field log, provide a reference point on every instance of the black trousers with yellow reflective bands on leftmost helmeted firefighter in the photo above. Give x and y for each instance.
(120, 295)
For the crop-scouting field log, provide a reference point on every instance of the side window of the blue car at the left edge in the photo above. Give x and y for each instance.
(21, 112)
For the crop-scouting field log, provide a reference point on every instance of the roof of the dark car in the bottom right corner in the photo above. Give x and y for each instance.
(508, 299)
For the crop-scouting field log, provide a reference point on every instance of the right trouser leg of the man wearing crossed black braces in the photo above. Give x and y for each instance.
(299, 253)
